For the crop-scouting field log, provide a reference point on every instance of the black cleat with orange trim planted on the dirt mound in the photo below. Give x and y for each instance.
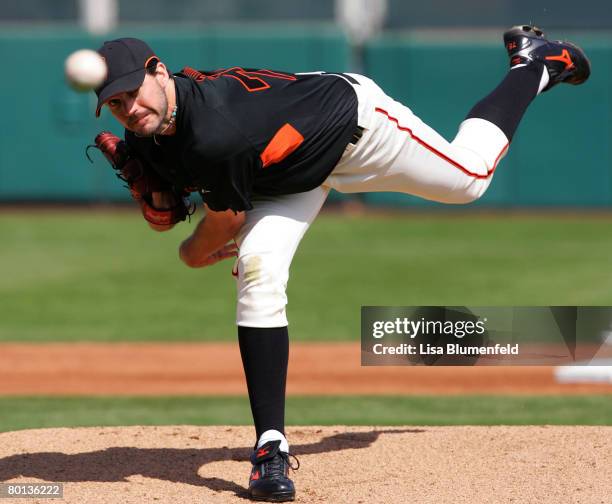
(269, 480)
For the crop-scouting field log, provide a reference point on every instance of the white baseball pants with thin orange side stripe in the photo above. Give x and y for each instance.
(397, 153)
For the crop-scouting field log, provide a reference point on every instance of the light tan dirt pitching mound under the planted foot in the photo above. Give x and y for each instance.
(190, 464)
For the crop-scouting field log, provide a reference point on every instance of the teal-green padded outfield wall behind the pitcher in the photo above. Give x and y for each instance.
(560, 156)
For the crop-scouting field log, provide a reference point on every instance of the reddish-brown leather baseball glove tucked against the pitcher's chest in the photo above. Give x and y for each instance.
(143, 181)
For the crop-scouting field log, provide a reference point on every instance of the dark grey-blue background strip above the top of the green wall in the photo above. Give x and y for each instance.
(401, 14)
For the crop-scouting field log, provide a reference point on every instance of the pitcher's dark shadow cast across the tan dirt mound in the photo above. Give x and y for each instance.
(169, 464)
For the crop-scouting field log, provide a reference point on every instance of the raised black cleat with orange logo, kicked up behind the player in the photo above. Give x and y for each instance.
(564, 61)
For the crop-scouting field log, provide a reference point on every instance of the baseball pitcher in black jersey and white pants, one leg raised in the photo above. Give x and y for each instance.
(264, 148)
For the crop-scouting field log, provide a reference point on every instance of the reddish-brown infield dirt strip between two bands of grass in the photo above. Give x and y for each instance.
(215, 369)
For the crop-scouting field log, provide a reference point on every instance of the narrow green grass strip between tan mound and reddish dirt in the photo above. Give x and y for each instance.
(38, 412)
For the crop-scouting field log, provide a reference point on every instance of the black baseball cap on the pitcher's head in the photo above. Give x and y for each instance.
(127, 60)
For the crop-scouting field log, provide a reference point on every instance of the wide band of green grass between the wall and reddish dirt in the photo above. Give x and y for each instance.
(103, 276)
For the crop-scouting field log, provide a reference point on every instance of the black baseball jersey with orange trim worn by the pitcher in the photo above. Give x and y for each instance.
(242, 132)
